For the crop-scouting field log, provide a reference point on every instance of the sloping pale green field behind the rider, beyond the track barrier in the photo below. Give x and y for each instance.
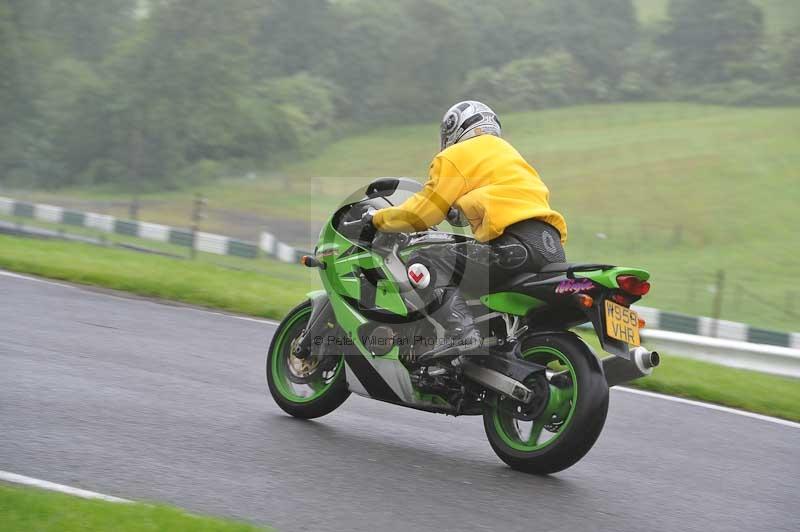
(682, 190)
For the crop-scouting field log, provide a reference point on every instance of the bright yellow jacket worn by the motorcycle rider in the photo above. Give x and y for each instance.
(488, 180)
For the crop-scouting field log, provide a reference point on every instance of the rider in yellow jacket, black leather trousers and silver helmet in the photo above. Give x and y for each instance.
(502, 197)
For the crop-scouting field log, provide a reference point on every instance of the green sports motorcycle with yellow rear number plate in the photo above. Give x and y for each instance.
(541, 389)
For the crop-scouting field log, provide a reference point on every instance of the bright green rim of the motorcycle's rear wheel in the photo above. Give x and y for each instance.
(528, 436)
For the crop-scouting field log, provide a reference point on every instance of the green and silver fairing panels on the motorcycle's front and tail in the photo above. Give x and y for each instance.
(358, 281)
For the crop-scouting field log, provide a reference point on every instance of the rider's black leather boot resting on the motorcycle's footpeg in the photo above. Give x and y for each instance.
(456, 318)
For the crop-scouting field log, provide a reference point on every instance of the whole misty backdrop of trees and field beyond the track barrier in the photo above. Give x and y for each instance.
(666, 130)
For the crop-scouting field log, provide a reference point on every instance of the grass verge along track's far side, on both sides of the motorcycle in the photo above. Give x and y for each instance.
(278, 287)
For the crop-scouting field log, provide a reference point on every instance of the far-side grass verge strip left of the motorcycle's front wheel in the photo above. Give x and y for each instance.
(268, 293)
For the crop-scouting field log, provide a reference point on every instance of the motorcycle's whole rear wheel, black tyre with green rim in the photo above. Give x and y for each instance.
(571, 420)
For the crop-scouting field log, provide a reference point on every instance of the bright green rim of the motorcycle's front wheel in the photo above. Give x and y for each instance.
(297, 393)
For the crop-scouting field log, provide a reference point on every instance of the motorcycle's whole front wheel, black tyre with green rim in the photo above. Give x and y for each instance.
(306, 388)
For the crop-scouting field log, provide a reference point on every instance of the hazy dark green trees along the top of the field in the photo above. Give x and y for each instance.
(161, 93)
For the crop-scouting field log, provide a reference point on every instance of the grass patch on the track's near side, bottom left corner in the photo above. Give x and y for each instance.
(23, 508)
